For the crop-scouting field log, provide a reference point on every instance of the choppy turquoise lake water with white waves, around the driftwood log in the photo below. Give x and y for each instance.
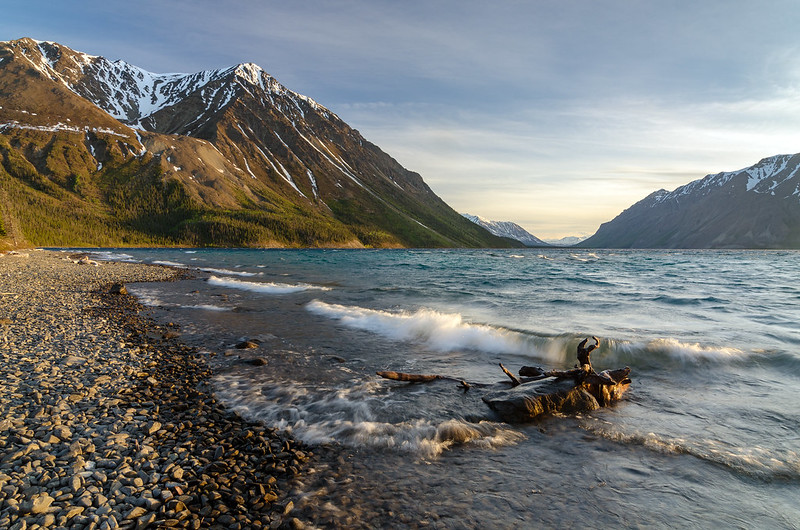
(707, 435)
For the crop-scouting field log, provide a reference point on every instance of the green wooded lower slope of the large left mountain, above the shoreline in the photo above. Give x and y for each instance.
(54, 194)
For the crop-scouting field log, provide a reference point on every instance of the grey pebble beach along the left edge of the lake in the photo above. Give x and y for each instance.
(106, 419)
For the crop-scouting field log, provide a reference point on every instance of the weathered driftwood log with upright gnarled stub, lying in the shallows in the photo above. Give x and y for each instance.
(542, 392)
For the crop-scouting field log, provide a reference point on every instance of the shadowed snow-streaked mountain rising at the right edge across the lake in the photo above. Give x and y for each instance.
(754, 207)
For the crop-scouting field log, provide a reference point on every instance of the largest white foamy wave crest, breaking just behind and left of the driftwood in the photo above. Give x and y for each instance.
(439, 331)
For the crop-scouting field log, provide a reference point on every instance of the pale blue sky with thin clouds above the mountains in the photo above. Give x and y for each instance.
(554, 114)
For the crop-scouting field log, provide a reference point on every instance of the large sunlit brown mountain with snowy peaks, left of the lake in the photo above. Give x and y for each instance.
(99, 152)
